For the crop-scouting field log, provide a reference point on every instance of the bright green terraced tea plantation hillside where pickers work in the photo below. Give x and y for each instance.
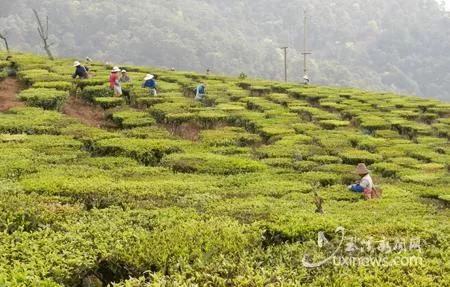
(151, 191)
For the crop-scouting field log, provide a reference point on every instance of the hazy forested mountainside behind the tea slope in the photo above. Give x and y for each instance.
(390, 45)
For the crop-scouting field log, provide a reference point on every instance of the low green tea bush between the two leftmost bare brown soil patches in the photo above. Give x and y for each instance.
(49, 99)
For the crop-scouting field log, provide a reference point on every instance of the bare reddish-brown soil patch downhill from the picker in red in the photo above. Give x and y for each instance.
(86, 113)
